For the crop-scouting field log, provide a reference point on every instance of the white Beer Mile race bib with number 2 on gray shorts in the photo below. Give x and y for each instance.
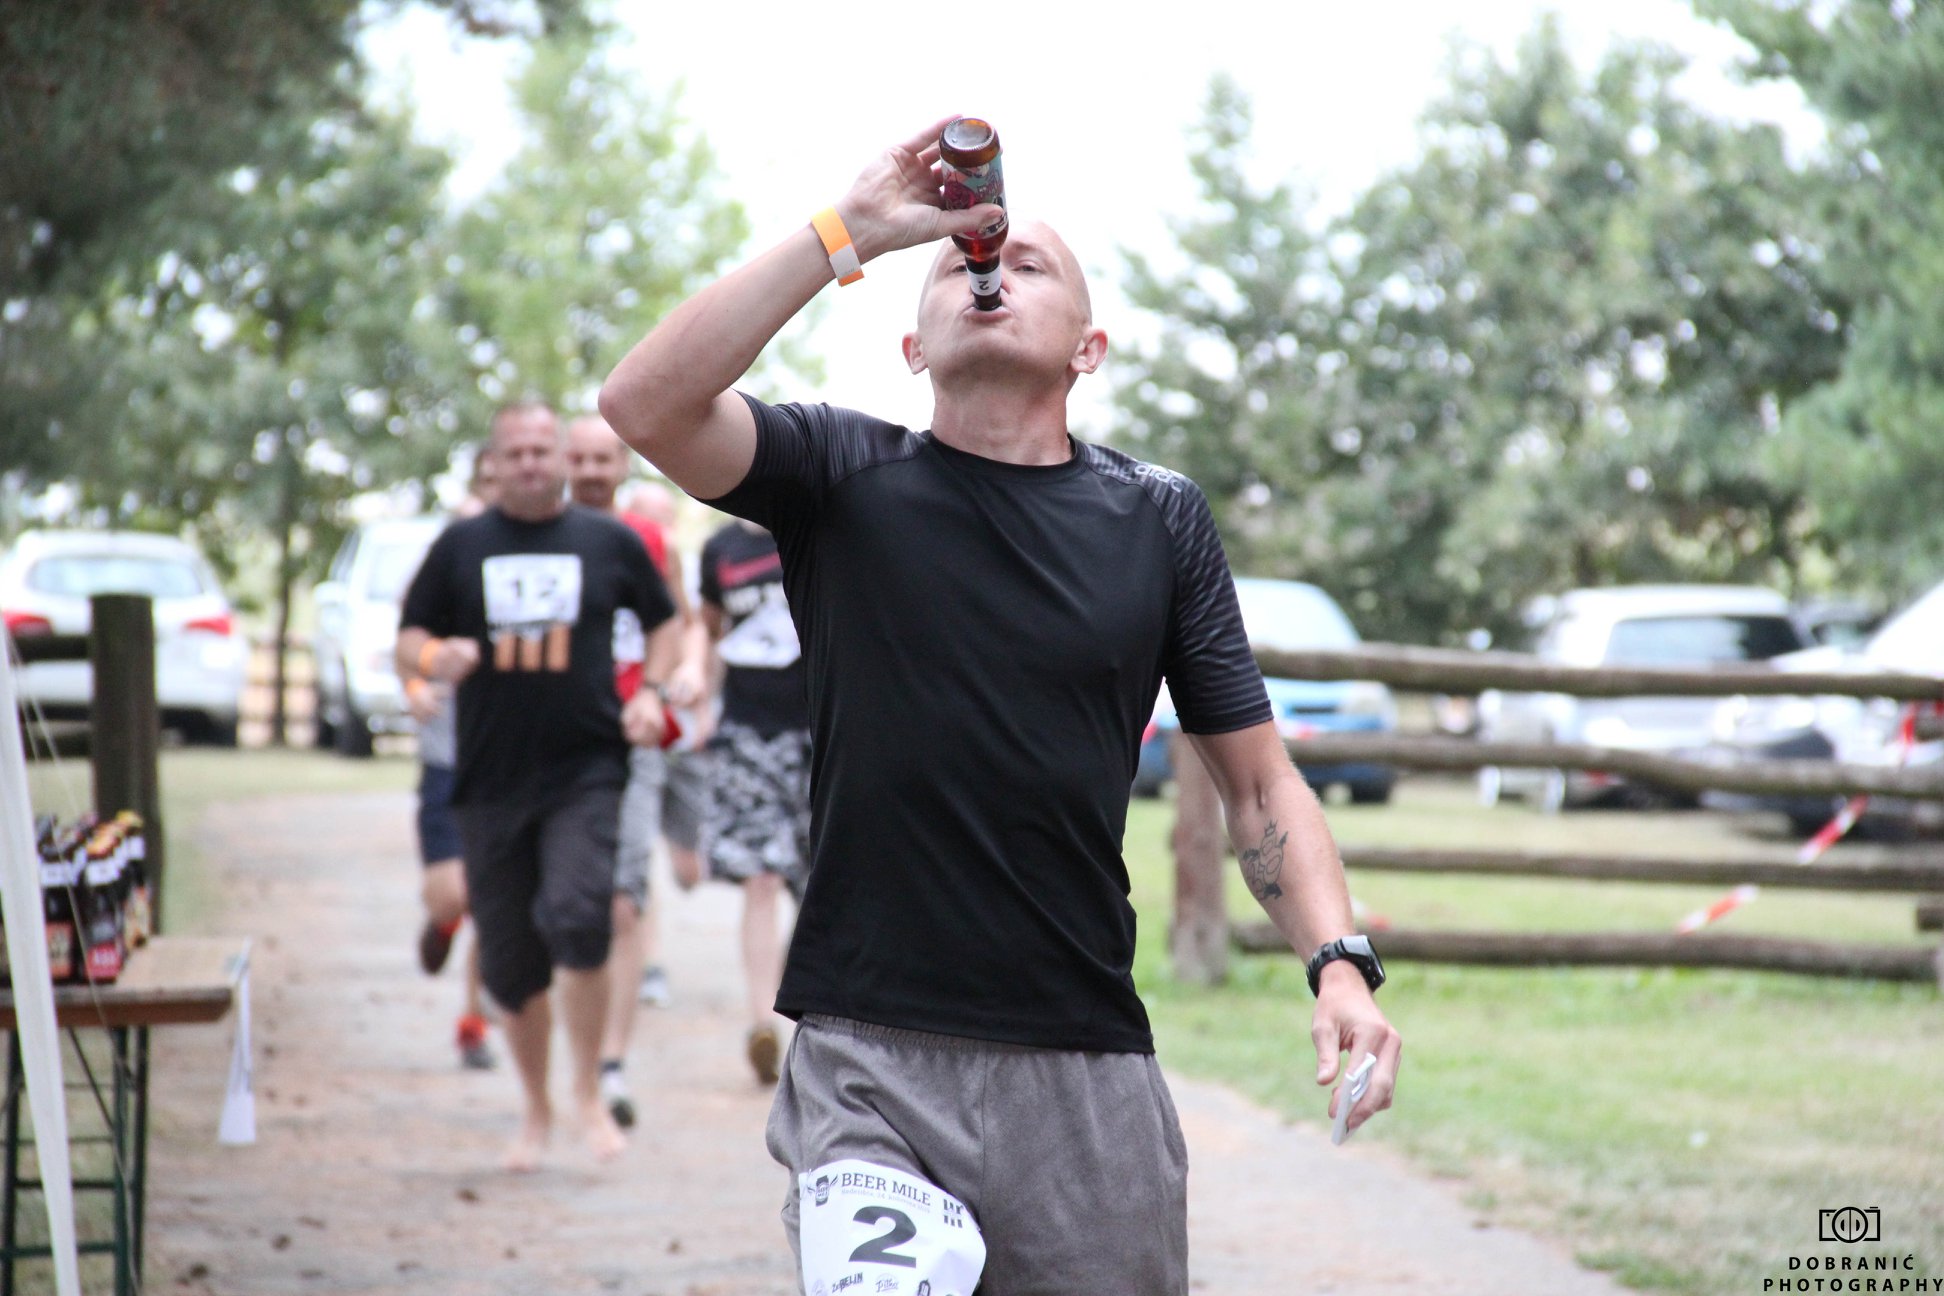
(872, 1231)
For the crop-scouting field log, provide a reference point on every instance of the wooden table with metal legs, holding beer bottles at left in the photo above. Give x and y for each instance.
(168, 982)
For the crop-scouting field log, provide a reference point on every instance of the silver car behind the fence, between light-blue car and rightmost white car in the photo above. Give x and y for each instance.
(1628, 627)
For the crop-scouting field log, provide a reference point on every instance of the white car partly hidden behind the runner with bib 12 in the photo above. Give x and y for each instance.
(359, 693)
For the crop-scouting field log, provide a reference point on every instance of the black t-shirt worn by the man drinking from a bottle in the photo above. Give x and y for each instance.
(985, 646)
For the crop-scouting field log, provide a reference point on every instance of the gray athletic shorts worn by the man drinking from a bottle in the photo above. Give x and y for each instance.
(1072, 1165)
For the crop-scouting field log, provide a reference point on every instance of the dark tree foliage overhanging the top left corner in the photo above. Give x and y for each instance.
(123, 127)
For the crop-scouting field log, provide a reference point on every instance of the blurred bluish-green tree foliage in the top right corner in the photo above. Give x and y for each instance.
(1865, 444)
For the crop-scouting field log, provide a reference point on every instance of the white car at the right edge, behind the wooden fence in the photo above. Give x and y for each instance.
(1844, 730)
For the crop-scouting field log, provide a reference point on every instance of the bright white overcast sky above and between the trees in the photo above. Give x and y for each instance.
(1092, 110)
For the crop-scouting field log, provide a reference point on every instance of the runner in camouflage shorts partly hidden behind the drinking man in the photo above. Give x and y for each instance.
(757, 833)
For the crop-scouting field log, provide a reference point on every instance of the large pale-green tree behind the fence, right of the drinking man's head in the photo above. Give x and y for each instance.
(1546, 355)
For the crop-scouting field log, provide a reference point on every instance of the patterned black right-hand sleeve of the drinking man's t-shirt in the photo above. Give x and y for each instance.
(1208, 664)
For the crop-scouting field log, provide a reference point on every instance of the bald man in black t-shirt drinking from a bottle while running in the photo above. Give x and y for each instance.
(987, 613)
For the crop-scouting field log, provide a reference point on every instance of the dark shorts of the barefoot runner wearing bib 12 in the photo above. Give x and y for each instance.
(541, 887)
